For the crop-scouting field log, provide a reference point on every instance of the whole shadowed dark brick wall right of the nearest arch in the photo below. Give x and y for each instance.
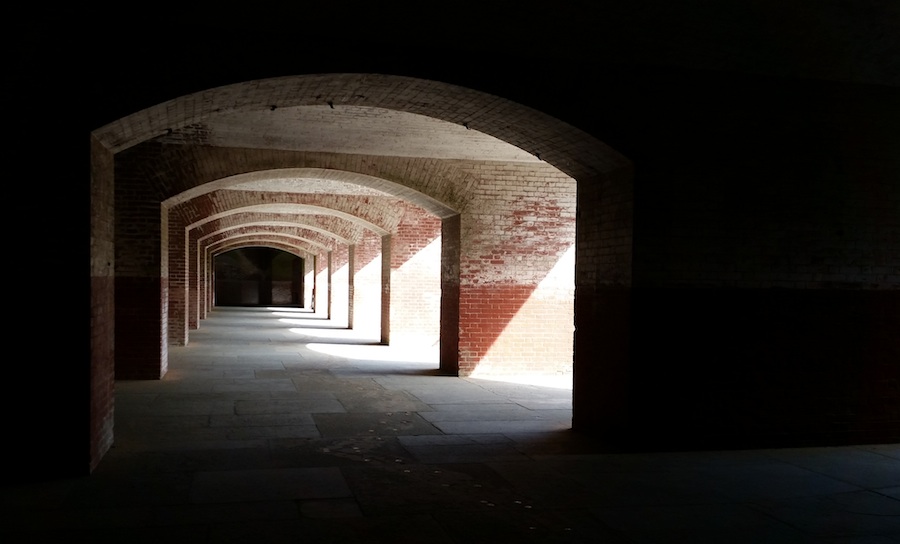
(765, 304)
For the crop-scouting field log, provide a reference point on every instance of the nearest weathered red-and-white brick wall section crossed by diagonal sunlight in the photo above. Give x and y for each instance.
(517, 270)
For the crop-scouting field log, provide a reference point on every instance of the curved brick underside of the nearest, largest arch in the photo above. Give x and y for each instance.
(567, 148)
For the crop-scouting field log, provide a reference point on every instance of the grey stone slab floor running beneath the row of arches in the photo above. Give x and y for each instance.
(278, 426)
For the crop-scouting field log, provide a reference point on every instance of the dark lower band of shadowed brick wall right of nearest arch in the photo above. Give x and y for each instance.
(721, 368)
